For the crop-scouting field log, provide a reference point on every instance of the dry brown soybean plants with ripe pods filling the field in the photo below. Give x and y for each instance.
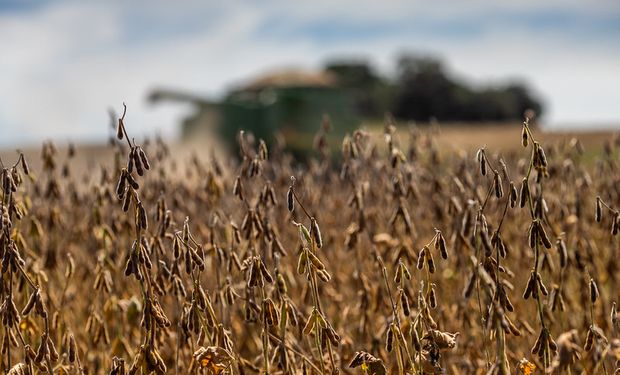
(396, 257)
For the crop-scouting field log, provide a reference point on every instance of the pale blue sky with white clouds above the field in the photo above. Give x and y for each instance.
(65, 63)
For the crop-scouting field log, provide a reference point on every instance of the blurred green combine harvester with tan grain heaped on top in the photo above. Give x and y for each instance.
(291, 104)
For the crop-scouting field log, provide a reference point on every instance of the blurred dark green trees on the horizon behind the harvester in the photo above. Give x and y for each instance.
(422, 89)
